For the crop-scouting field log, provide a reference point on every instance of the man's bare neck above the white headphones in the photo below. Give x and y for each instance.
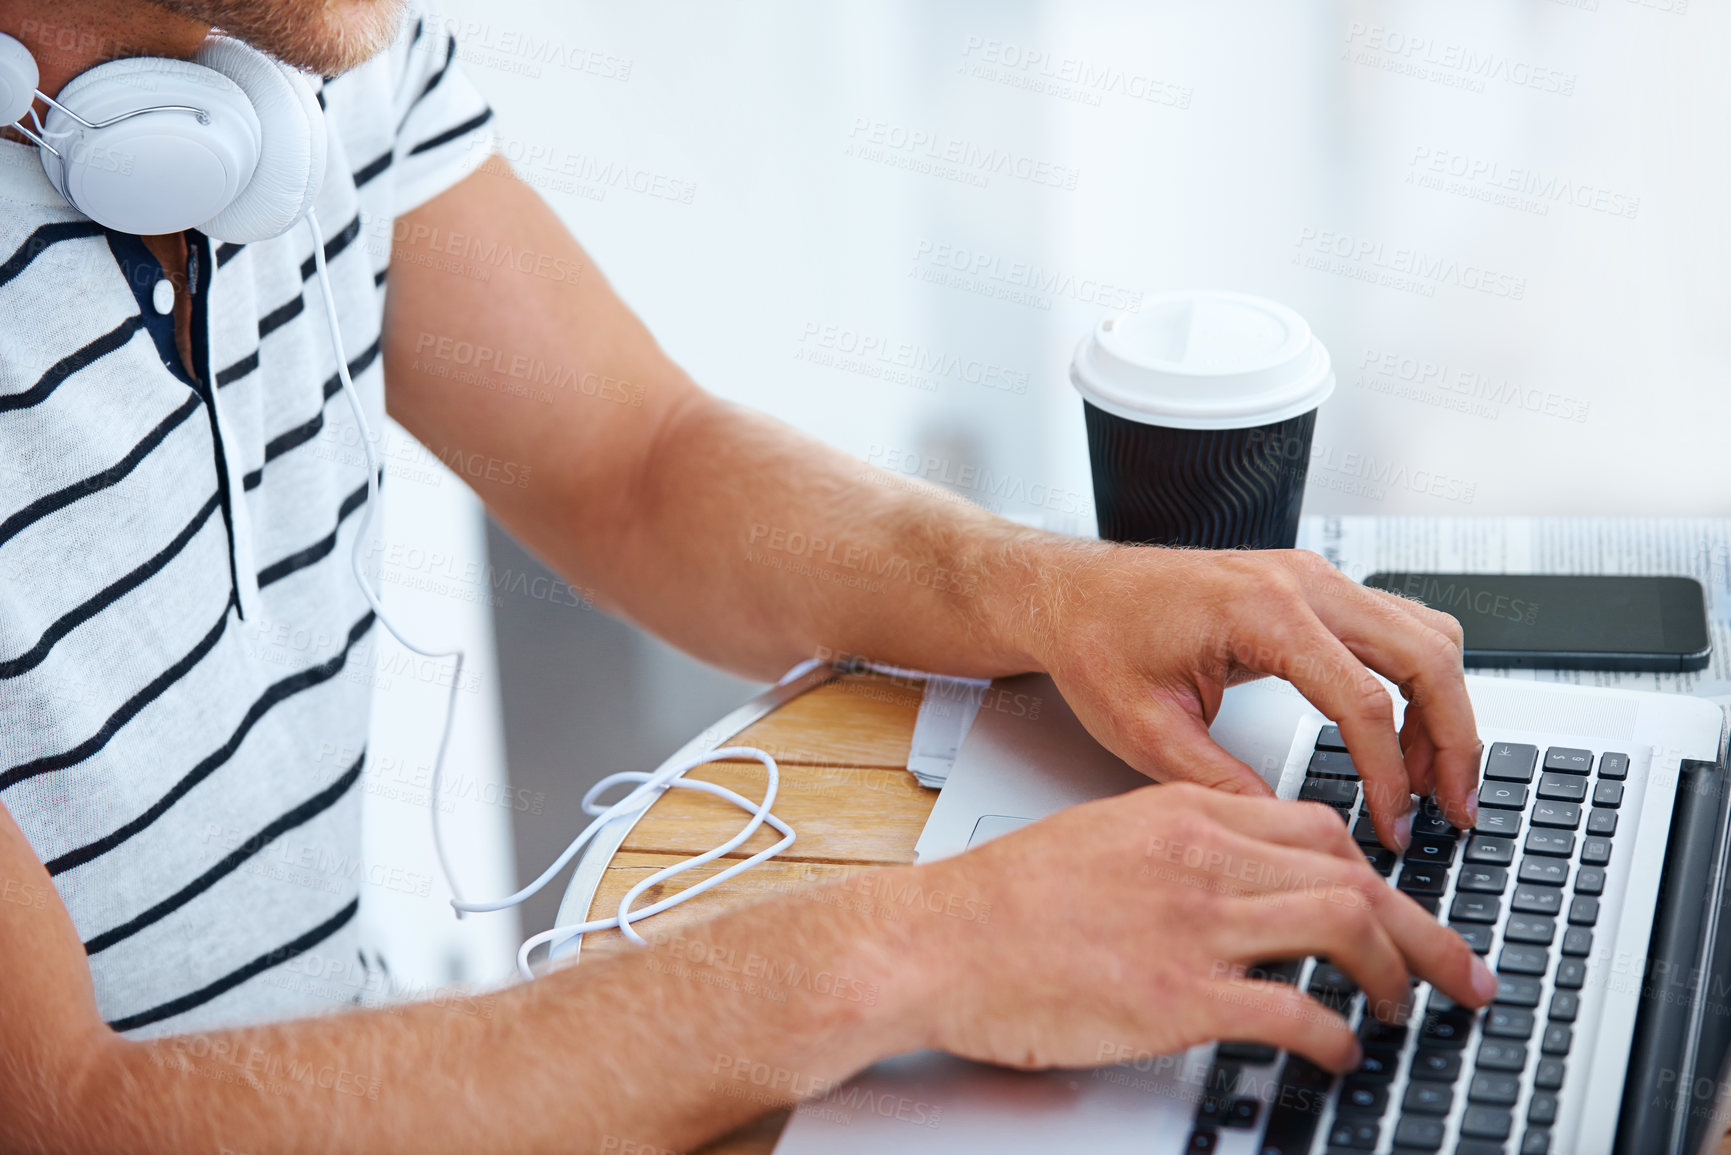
(70, 37)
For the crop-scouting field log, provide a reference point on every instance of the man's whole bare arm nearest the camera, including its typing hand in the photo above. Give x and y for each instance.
(1112, 931)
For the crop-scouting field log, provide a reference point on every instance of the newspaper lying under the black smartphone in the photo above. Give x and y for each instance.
(1661, 546)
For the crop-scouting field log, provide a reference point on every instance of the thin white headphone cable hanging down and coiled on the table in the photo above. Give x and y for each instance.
(650, 787)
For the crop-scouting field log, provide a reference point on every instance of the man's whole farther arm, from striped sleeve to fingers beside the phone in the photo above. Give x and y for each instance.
(752, 546)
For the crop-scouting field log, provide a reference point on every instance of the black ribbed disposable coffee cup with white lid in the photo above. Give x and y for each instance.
(1200, 410)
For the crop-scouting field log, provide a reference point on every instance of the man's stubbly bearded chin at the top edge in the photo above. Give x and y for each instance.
(326, 37)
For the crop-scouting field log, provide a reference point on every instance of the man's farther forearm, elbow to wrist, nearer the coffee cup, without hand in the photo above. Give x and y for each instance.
(797, 550)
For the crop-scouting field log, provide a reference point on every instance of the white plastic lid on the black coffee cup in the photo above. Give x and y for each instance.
(1204, 361)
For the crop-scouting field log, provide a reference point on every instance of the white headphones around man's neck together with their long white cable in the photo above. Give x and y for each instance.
(233, 145)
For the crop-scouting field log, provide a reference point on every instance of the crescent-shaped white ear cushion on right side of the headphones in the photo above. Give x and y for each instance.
(292, 162)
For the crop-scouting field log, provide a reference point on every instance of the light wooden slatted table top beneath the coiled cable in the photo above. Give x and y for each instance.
(846, 790)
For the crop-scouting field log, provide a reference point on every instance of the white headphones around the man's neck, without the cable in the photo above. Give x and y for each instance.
(229, 143)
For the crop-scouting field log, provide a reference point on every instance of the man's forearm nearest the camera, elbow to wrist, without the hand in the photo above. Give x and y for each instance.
(647, 1050)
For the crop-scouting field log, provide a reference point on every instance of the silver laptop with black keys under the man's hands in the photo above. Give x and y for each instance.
(1593, 886)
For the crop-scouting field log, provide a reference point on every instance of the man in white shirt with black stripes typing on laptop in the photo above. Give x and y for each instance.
(181, 647)
